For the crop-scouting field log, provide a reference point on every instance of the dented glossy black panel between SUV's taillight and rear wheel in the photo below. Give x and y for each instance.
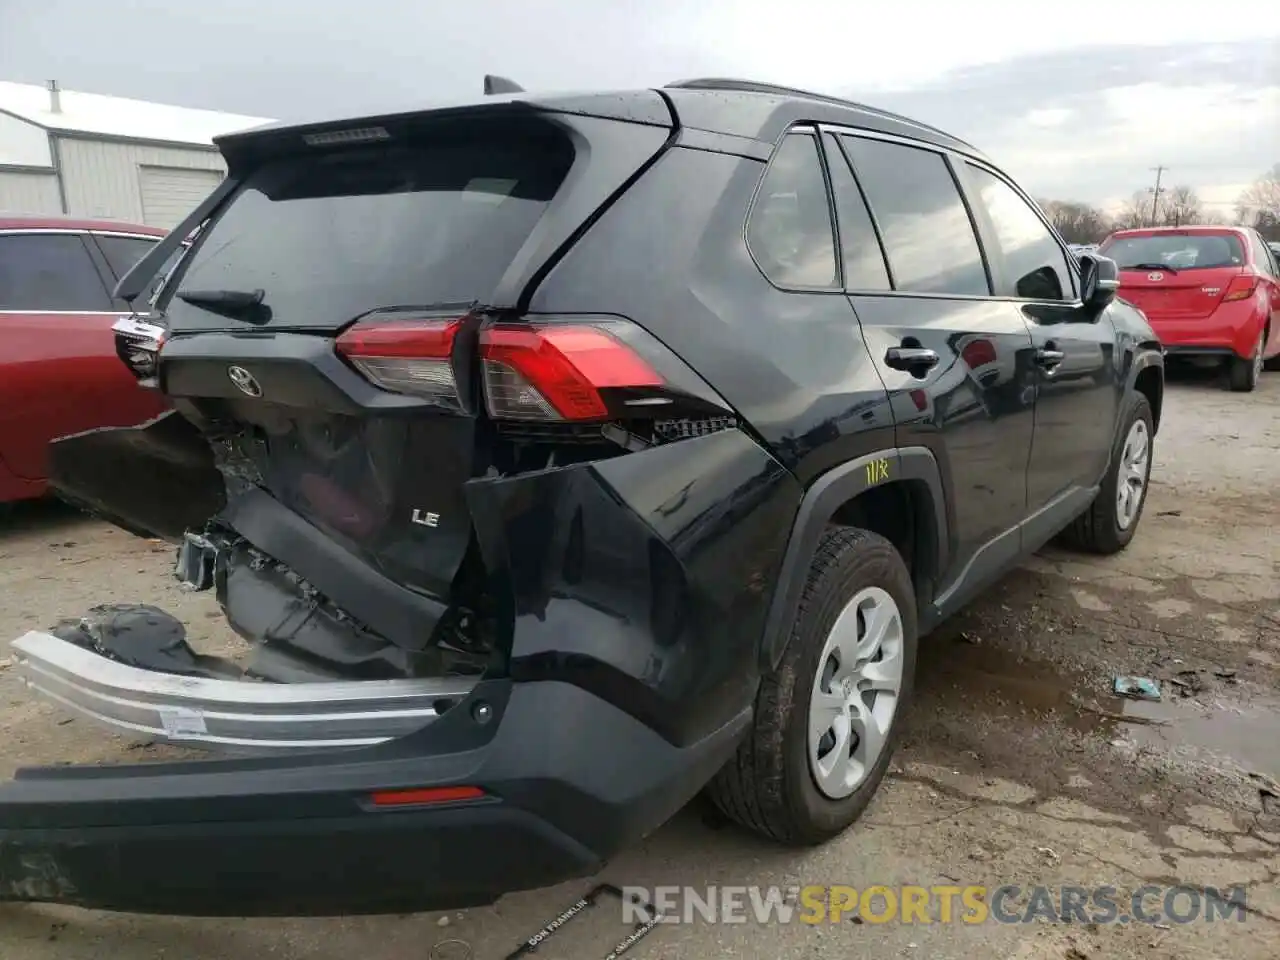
(644, 579)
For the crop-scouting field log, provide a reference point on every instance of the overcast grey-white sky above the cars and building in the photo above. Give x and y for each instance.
(1076, 100)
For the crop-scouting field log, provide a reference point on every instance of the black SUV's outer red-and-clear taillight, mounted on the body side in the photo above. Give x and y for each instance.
(556, 372)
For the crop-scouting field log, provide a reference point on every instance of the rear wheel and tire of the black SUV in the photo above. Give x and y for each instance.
(829, 717)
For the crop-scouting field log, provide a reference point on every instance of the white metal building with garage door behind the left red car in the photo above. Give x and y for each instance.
(111, 158)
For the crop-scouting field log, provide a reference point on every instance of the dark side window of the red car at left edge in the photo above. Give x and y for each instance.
(51, 272)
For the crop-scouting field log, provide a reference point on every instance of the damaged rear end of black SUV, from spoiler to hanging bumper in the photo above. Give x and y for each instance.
(488, 560)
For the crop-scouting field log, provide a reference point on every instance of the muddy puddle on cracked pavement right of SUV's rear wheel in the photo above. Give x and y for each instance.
(990, 679)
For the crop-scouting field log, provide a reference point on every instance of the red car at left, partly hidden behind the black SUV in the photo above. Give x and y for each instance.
(60, 371)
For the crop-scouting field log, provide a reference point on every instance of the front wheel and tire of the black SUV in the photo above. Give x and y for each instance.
(1110, 523)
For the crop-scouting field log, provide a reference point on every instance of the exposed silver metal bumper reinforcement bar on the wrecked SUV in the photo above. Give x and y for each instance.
(230, 715)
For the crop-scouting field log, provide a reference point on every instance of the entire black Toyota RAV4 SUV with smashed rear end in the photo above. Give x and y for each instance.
(560, 458)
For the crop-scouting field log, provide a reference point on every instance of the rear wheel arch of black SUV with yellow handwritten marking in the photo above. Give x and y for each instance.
(895, 492)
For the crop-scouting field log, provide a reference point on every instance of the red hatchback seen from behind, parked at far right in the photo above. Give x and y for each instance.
(1212, 294)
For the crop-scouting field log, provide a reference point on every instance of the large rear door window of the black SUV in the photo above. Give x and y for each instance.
(929, 236)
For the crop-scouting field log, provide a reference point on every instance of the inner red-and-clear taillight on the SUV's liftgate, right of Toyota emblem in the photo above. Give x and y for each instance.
(412, 356)
